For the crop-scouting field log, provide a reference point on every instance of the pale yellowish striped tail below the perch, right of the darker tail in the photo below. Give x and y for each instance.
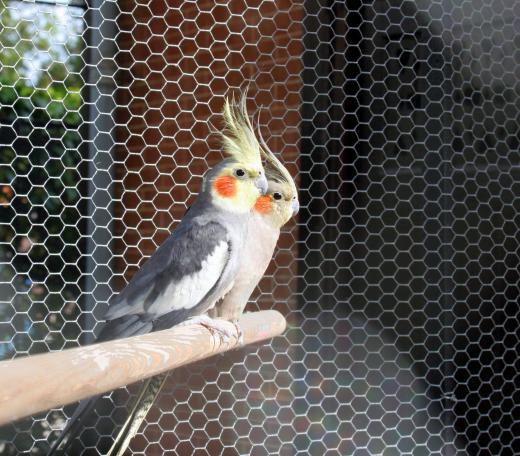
(149, 392)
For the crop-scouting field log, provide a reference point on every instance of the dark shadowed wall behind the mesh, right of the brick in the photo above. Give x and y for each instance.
(411, 112)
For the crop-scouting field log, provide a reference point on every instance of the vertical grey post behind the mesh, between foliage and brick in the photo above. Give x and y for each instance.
(99, 72)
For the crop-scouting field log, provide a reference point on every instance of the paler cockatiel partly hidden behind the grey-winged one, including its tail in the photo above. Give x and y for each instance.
(270, 213)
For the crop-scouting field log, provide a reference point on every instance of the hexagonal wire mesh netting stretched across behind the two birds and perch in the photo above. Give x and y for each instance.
(399, 279)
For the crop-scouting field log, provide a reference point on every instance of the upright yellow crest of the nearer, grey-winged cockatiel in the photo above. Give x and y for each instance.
(238, 136)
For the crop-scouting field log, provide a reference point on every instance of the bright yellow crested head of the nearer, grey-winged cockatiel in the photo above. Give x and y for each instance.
(237, 182)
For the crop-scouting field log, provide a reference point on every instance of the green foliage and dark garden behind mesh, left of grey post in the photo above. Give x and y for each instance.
(42, 183)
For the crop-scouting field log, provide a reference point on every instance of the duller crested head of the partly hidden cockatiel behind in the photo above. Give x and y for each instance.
(280, 203)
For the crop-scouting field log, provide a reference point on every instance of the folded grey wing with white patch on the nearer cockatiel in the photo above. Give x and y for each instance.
(176, 279)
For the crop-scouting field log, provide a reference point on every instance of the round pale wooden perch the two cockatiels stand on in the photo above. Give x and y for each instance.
(36, 383)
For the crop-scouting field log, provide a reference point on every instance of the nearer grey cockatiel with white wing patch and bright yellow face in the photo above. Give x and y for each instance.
(197, 265)
